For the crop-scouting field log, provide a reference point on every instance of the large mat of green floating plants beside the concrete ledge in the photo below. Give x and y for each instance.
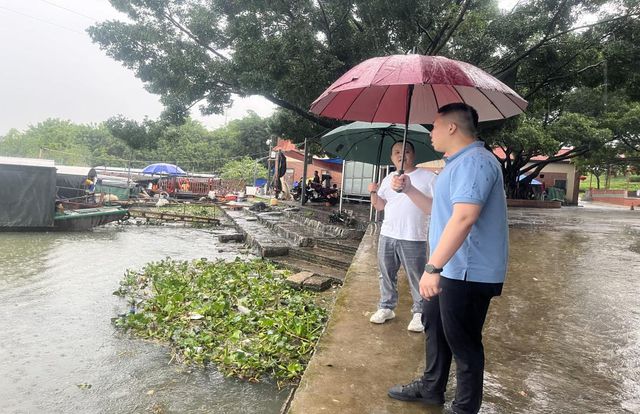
(239, 315)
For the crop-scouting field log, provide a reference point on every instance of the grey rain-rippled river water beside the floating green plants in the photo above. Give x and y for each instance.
(59, 352)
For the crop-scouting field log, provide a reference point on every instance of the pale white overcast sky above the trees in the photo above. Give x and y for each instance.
(50, 69)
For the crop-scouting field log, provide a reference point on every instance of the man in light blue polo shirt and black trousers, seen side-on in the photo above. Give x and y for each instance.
(468, 240)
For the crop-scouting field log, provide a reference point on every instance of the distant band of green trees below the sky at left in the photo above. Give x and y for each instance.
(120, 142)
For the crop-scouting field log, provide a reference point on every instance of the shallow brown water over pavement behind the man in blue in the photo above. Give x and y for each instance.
(565, 335)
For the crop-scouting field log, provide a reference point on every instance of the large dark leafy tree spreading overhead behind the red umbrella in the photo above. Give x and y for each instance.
(192, 51)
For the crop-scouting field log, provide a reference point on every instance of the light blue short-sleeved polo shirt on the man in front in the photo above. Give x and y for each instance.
(474, 176)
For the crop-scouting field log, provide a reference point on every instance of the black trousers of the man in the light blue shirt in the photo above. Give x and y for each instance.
(453, 323)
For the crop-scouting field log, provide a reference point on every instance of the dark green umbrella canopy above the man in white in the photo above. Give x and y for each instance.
(372, 142)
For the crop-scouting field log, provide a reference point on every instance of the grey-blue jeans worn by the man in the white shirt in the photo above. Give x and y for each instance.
(391, 254)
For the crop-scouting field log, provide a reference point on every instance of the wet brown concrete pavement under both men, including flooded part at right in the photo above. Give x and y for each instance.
(563, 338)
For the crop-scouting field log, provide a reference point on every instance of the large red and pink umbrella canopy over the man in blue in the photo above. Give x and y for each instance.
(392, 88)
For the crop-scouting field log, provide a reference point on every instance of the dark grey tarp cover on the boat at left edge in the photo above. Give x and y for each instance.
(27, 196)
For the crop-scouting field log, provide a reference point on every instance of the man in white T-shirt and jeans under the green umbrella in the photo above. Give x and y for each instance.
(403, 236)
